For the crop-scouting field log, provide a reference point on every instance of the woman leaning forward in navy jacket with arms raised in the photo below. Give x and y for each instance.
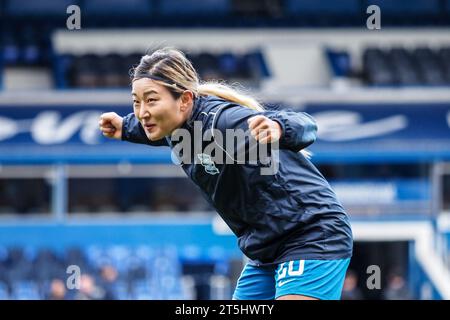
(289, 224)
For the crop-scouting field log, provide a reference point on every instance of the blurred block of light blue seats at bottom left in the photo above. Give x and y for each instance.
(116, 272)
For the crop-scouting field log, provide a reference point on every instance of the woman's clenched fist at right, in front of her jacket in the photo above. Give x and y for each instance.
(264, 130)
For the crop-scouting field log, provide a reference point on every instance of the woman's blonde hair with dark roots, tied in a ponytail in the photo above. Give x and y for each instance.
(171, 68)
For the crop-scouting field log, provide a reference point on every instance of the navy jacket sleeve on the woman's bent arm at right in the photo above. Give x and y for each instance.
(299, 128)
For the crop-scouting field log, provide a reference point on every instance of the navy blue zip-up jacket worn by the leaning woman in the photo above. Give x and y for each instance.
(290, 215)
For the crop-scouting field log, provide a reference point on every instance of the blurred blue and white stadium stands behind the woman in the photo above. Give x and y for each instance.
(130, 220)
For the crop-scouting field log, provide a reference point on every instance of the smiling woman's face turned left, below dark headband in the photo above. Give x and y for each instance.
(155, 108)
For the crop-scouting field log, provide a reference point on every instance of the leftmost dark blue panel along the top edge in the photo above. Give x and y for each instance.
(38, 8)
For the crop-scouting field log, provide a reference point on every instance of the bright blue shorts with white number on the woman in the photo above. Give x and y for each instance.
(321, 279)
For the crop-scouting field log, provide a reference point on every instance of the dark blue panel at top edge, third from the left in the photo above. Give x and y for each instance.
(194, 7)
